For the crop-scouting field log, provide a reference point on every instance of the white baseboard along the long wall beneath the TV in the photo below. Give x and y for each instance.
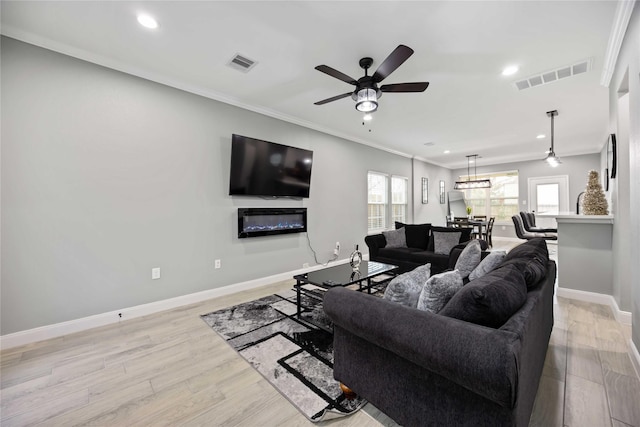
(77, 325)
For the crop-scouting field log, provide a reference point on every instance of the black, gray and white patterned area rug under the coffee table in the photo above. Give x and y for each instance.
(294, 356)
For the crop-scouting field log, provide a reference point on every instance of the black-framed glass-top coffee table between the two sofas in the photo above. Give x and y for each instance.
(314, 284)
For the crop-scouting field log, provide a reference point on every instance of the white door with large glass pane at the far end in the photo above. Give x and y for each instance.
(548, 196)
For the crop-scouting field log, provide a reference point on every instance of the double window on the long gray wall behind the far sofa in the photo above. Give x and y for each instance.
(380, 213)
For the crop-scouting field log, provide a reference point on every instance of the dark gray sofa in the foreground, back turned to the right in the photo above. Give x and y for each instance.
(426, 369)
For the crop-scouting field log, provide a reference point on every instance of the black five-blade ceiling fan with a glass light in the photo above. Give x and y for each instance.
(367, 92)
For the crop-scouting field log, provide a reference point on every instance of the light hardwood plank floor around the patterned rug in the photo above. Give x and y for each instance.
(170, 368)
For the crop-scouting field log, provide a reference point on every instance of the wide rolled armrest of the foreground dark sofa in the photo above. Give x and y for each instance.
(480, 359)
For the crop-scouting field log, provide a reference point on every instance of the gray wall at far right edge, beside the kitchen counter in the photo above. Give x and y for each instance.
(626, 187)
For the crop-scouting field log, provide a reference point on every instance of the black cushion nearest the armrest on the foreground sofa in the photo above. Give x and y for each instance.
(490, 300)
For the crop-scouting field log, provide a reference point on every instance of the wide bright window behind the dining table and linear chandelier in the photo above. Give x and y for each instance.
(499, 201)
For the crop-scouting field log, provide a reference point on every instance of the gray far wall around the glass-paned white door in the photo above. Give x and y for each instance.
(576, 167)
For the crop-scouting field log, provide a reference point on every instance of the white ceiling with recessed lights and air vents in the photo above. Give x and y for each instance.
(460, 48)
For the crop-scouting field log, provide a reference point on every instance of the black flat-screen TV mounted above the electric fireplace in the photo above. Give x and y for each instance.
(262, 168)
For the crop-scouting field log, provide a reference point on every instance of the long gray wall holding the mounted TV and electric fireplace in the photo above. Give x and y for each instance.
(106, 175)
